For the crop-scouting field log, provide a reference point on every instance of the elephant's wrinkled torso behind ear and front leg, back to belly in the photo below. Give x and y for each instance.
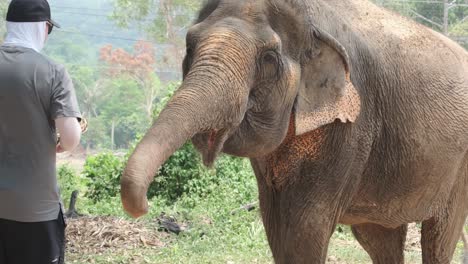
(416, 91)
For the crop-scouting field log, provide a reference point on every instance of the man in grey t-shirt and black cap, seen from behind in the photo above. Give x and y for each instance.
(36, 98)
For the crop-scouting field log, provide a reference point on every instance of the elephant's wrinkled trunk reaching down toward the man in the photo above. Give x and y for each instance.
(206, 102)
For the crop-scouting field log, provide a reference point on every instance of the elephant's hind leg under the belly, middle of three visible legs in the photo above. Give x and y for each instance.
(384, 245)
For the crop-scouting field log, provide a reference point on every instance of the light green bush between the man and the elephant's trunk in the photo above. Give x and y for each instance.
(103, 172)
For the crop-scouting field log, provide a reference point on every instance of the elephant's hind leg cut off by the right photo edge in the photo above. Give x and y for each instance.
(441, 233)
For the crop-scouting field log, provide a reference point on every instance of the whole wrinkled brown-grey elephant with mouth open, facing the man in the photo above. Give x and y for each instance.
(350, 114)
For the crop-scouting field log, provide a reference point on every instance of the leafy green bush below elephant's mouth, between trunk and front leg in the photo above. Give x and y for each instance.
(184, 175)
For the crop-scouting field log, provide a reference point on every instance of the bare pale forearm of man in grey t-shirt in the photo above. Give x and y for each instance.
(70, 133)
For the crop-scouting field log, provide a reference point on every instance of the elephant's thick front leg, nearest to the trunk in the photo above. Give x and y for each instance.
(299, 223)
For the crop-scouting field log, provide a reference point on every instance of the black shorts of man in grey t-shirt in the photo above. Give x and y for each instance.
(32, 243)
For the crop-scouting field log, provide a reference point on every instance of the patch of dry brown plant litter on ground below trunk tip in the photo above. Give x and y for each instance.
(95, 235)
